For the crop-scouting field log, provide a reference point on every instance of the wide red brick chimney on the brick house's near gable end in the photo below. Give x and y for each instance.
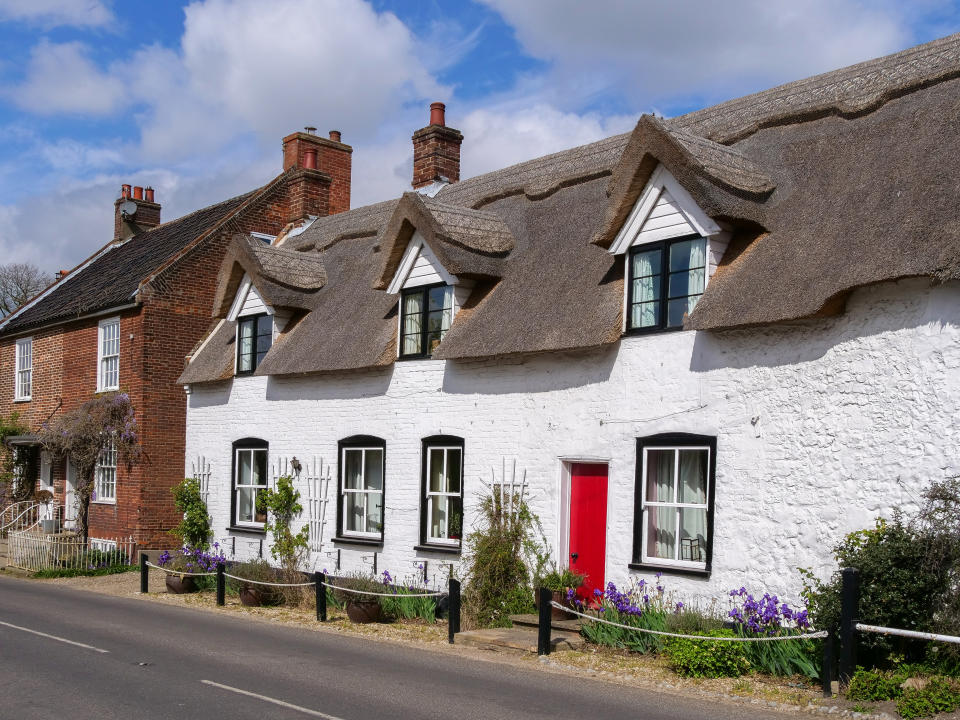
(320, 178)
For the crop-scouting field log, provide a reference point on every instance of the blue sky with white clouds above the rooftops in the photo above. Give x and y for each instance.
(194, 97)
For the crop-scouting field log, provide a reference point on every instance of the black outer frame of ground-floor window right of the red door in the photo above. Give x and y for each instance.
(674, 440)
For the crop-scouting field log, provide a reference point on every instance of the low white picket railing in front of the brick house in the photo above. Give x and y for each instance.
(35, 552)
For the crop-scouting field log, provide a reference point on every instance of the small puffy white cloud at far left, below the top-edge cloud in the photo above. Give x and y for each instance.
(61, 78)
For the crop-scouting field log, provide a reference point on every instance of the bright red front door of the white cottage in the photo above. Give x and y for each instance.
(588, 523)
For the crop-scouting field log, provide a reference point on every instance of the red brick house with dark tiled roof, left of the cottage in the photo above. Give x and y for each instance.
(126, 317)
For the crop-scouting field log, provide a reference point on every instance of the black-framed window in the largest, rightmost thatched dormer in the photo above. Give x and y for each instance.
(666, 280)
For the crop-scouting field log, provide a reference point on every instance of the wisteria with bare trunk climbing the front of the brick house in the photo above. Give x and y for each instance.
(82, 434)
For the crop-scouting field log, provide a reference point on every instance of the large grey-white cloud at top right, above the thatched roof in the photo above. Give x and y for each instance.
(650, 50)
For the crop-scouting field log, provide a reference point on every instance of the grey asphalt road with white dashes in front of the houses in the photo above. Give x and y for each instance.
(76, 655)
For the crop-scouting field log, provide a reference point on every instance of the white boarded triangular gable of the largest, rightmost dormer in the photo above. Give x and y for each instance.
(664, 210)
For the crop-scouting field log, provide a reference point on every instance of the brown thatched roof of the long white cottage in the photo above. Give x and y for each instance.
(825, 185)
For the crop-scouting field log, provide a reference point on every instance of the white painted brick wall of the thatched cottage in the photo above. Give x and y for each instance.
(855, 415)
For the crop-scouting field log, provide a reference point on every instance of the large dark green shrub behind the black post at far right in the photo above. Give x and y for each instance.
(899, 586)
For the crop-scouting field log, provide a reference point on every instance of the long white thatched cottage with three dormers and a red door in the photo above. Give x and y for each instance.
(710, 346)
